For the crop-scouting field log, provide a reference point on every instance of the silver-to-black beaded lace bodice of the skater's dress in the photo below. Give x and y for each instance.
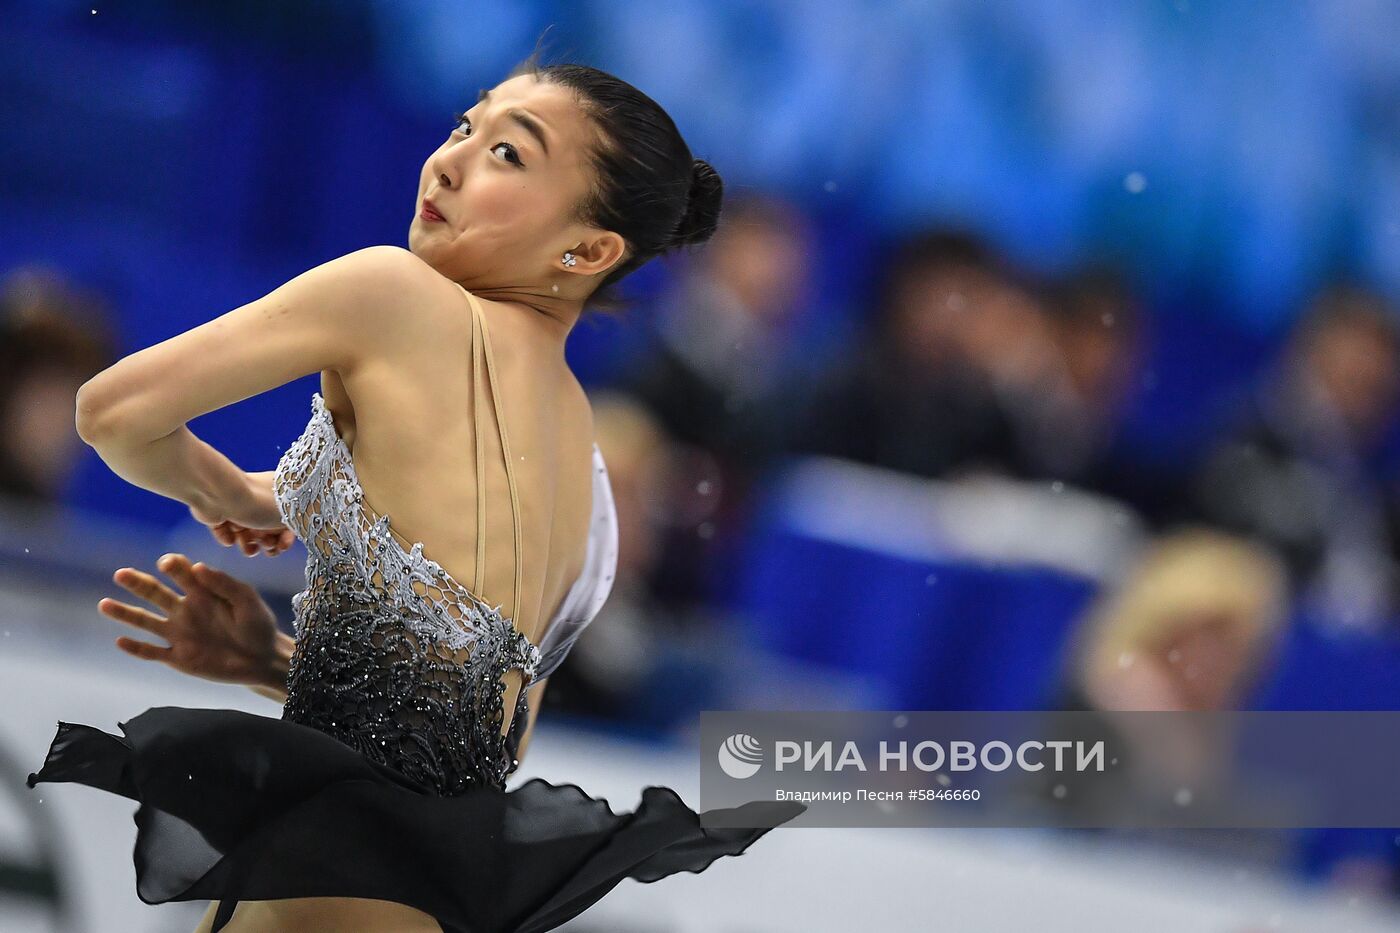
(394, 656)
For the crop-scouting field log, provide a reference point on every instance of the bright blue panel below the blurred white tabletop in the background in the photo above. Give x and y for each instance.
(937, 634)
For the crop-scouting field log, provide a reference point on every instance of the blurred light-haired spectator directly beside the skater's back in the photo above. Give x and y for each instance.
(618, 669)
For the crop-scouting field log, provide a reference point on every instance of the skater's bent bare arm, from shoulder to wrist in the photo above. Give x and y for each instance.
(334, 317)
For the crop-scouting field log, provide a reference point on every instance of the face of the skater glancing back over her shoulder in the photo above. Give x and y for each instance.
(503, 194)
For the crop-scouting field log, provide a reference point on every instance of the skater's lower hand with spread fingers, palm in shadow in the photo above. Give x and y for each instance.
(220, 630)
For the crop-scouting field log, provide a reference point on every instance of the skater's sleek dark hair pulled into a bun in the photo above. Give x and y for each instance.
(647, 186)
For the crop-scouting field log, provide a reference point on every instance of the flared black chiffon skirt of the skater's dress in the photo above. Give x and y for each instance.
(237, 806)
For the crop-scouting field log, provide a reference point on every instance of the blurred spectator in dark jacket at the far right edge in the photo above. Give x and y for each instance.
(1296, 471)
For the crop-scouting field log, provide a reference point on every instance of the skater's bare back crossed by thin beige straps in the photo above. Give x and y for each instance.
(411, 428)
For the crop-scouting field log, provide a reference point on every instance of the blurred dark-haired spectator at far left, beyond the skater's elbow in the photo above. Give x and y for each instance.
(52, 340)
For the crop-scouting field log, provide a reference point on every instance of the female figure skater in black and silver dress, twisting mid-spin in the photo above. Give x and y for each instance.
(377, 802)
